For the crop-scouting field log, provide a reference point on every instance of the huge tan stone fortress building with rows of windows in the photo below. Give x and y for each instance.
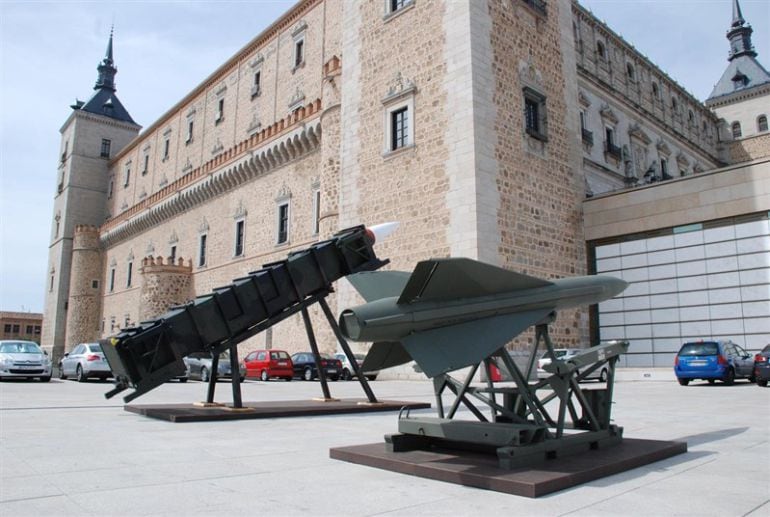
(482, 134)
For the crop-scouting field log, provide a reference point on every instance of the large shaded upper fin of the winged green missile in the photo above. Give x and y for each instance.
(456, 278)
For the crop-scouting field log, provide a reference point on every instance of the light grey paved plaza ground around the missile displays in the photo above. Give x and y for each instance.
(65, 450)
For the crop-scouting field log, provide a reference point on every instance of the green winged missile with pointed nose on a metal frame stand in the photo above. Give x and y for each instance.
(454, 312)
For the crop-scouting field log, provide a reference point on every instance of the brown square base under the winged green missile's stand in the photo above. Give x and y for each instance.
(482, 471)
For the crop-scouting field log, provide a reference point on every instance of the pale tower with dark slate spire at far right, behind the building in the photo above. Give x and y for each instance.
(742, 95)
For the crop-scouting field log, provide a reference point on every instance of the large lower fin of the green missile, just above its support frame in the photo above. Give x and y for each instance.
(448, 348)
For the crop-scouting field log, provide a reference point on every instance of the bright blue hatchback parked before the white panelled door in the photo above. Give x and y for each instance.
(713, 360)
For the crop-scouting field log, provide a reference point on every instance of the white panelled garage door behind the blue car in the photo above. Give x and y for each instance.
(701, 281)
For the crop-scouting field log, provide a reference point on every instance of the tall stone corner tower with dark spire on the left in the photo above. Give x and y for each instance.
(92, 134)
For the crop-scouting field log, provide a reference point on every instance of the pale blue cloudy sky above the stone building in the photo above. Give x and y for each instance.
(49, 52)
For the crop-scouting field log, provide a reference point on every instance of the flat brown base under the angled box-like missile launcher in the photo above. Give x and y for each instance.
(269, 409)
